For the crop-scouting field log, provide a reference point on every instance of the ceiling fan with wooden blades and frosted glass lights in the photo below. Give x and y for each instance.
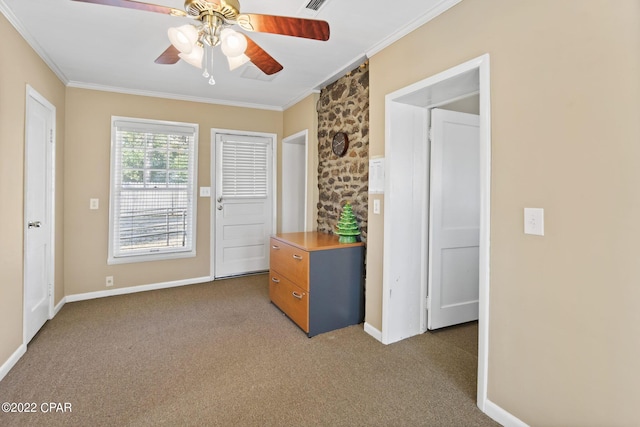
(194, 43)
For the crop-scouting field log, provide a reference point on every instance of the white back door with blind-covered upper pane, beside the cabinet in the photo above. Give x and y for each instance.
(243, 204)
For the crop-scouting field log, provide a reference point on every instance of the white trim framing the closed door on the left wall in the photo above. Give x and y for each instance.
(31, 93)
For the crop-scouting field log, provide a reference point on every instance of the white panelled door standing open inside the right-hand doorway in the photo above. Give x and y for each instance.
(454, 219)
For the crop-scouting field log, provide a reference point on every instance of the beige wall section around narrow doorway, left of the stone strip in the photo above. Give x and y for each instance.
(304, 116)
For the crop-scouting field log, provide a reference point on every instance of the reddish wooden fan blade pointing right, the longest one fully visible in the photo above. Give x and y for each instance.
(296, 27)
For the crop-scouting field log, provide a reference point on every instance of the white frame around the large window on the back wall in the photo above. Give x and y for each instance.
(156, 255)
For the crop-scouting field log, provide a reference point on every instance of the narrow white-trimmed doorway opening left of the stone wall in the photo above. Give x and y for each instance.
(294, 182)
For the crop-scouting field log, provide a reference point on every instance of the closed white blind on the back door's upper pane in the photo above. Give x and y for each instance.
(244, 169)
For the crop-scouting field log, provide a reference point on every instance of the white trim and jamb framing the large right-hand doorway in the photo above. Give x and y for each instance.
(411, 102)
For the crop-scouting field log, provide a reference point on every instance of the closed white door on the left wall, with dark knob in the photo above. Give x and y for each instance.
(38, 250)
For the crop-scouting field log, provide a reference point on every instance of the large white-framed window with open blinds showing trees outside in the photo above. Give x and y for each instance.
(153, 184)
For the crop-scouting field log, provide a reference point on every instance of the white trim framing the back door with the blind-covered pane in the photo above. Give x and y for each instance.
(213, 185)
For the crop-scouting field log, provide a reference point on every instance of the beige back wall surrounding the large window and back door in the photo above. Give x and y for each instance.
(87, 176)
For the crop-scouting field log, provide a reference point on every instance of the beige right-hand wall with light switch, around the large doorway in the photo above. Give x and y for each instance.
(565, 108)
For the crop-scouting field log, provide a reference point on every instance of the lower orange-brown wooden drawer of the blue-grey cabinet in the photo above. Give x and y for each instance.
(290, 298)
